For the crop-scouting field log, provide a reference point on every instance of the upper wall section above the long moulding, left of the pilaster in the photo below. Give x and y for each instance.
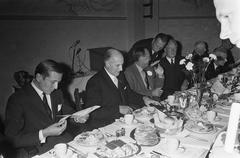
(91, 8)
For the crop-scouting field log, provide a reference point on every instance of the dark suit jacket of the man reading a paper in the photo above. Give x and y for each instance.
(26, 115)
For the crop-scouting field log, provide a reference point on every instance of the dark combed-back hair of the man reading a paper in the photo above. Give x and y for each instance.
(46, 66)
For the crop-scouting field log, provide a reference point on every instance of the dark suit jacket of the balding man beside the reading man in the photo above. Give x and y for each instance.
(101, 90)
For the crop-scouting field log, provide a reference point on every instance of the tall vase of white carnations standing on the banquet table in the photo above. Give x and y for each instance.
(196, 71)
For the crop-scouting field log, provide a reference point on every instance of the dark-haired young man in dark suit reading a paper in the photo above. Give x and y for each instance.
(31, 122)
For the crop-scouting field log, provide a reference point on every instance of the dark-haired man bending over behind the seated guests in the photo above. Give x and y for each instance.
(154, 45)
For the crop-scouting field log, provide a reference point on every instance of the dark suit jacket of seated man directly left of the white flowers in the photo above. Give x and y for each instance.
(174, 76)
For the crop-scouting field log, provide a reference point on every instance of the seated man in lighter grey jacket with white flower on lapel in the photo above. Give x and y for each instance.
(142, 78)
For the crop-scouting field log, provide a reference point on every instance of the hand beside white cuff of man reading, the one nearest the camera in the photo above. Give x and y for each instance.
(55, 129)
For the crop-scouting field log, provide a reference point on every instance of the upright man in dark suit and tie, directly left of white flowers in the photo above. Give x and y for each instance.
(175, 79)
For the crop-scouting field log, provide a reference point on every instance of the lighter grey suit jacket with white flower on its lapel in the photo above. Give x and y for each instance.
(136, 82)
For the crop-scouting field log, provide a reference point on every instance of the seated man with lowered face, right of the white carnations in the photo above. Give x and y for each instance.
(217, 66)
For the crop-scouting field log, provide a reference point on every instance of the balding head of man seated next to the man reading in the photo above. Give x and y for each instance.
(113, 60)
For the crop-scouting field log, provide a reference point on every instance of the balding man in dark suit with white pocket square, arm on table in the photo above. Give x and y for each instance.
(109, 89)
